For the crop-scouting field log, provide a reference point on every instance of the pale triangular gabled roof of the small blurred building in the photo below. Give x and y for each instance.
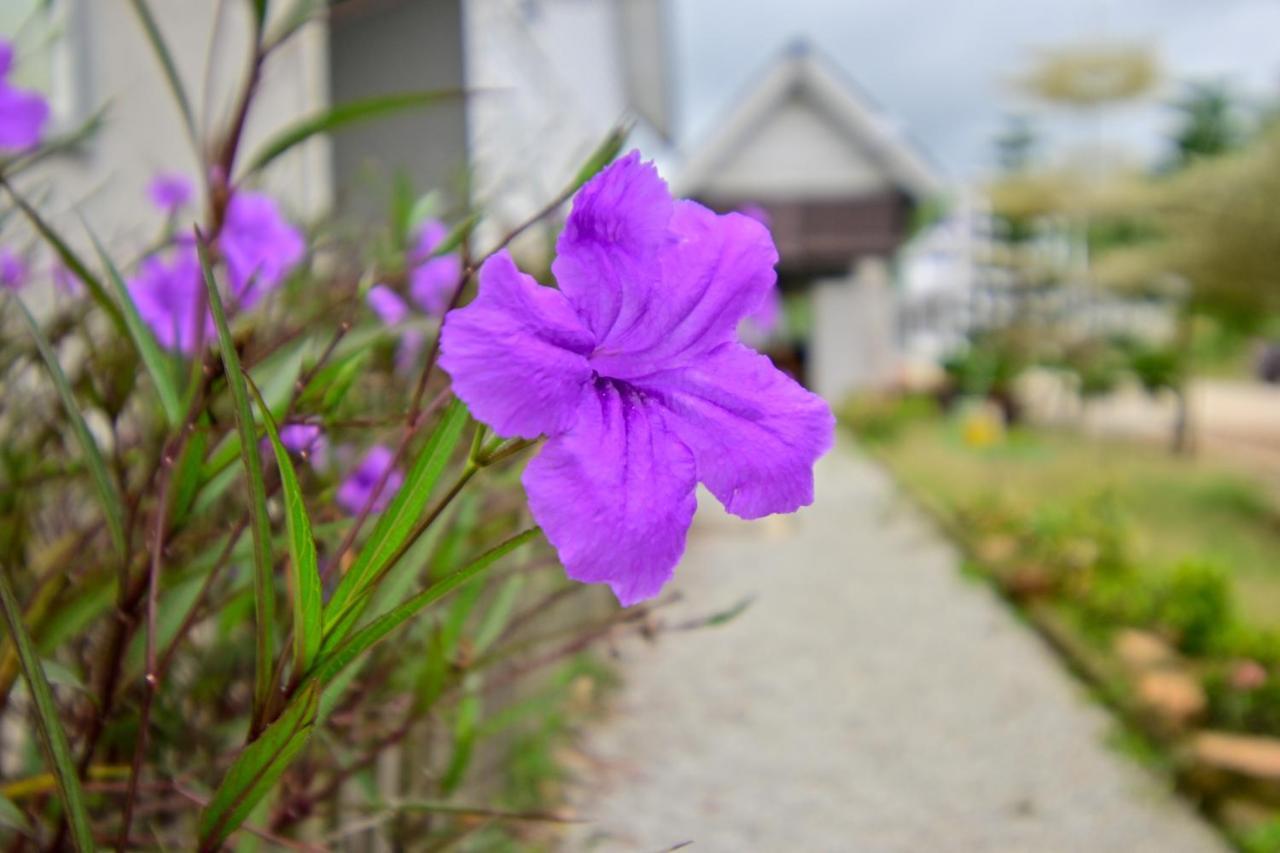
(829, 139)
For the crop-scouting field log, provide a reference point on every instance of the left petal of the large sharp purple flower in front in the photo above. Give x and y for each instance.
(518, 354)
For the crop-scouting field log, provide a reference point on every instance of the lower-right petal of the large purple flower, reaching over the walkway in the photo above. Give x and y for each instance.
(755, 431)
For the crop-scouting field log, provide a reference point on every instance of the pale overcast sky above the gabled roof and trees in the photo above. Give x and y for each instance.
(943, 67)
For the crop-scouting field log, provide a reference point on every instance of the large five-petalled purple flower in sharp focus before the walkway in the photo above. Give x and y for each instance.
(633, 371)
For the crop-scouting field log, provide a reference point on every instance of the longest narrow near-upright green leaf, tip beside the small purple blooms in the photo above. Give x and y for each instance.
(264, 580)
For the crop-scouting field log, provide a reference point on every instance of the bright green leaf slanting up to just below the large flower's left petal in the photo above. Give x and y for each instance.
(396, 523)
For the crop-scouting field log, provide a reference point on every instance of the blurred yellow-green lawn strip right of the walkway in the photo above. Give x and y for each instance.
(1174, 508)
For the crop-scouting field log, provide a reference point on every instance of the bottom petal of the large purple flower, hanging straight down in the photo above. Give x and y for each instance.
(615, 495)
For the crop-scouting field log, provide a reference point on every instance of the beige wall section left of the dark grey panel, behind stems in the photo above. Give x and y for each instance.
(106, 181)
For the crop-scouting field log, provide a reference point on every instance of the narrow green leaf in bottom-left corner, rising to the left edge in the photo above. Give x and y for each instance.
(49, 728)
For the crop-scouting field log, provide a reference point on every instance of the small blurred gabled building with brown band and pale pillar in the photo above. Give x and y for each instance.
(840, 183)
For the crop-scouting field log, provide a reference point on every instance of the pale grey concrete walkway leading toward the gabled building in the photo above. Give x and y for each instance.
(870, 700)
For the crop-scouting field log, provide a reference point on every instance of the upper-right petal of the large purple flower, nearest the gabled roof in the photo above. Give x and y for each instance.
(719, 272)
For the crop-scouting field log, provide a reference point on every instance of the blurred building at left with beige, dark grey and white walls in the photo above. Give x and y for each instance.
(528, 90)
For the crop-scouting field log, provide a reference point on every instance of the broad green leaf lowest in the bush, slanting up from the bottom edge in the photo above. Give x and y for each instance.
(257, 770)
